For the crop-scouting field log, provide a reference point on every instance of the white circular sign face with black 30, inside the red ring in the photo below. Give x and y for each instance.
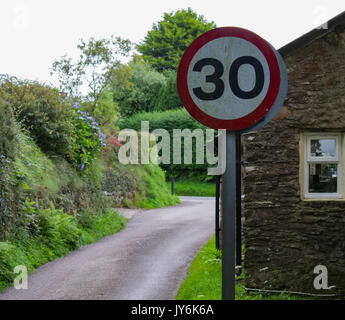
(225, 52)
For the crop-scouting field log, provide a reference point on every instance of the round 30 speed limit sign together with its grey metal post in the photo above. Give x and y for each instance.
(230, 78)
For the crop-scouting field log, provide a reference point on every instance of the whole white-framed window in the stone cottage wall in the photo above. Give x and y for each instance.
(322, 166)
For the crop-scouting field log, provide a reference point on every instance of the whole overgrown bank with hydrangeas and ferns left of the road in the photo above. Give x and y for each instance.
(60, 177)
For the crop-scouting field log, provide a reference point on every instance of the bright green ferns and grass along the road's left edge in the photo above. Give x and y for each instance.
(56, 234)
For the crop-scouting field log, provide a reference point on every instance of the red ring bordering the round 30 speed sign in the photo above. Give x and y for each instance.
(249, 119)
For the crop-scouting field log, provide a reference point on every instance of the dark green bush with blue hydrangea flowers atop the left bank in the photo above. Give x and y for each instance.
(54, 122)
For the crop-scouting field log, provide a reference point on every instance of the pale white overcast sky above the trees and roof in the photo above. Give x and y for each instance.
(36, 32)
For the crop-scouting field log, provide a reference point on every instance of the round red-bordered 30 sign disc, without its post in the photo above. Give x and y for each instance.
(230, 78)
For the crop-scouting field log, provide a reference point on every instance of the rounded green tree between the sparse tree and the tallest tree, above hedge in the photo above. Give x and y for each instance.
(135, 87)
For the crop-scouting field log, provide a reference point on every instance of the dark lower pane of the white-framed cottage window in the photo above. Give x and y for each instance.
(323, 178)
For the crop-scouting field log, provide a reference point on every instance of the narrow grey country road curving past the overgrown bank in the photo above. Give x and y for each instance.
(146, 260)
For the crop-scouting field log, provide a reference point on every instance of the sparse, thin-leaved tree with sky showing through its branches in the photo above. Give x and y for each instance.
(94, 68)
